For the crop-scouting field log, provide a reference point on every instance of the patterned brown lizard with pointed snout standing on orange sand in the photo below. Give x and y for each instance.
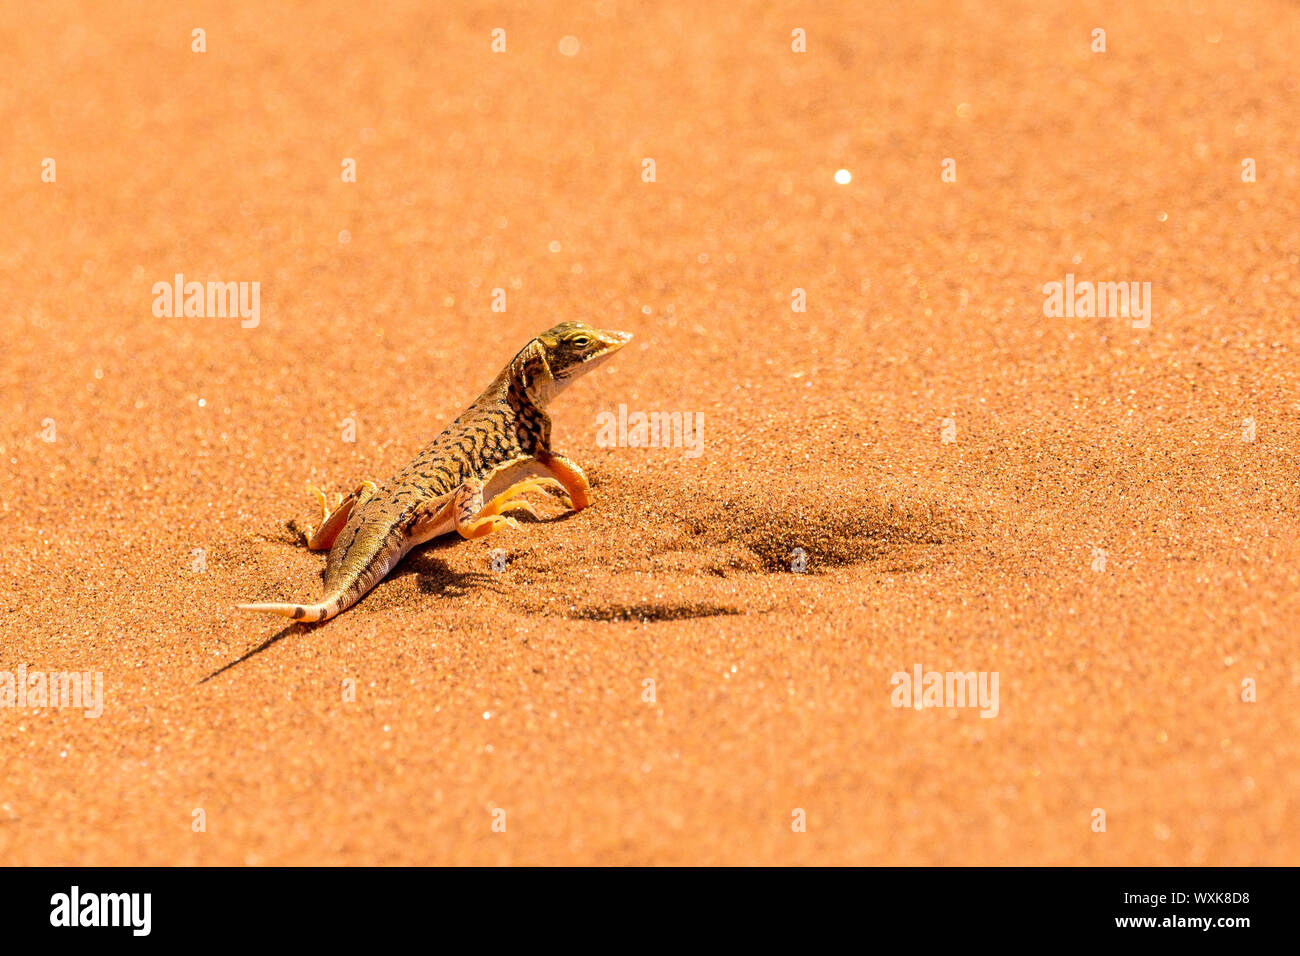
(466, 481)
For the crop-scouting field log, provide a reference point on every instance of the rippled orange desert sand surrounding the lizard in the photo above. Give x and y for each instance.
(904, 462)
